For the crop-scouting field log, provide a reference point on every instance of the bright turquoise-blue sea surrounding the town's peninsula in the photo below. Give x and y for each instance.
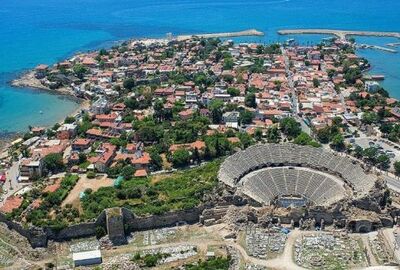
(45, 31)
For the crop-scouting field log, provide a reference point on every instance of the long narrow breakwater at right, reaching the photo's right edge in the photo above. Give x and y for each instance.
(342, 34)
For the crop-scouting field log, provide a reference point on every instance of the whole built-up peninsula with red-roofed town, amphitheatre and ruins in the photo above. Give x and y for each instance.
(201, 154)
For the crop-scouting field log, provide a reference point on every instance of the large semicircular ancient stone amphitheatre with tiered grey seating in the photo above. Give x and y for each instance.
(290, 174)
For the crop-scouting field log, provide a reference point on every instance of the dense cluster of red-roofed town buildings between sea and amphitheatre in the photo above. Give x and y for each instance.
(126, 82)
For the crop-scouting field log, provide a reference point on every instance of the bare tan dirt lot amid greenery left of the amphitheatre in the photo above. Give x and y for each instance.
(83, 184)
